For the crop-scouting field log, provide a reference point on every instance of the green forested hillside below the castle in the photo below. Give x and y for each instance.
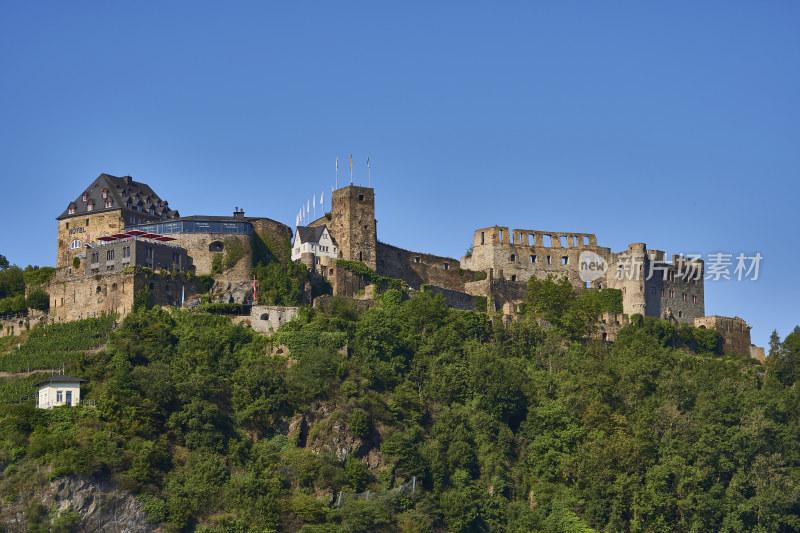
(483, 427)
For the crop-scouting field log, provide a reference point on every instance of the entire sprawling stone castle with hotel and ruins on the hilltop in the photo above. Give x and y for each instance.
(117, 224)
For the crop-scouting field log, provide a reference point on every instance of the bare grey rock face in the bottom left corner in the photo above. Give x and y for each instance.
(101, 506)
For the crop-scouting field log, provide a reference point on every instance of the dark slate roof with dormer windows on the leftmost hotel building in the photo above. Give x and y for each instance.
(124, 193)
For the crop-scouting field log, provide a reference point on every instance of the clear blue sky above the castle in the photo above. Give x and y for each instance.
(671, 123)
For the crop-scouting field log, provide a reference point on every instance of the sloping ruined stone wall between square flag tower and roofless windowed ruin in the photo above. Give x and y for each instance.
(417, 269)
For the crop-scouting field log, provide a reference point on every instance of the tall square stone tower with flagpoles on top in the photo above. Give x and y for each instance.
(353, 224)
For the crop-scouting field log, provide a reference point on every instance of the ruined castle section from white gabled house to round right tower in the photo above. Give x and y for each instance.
(500, 263)
